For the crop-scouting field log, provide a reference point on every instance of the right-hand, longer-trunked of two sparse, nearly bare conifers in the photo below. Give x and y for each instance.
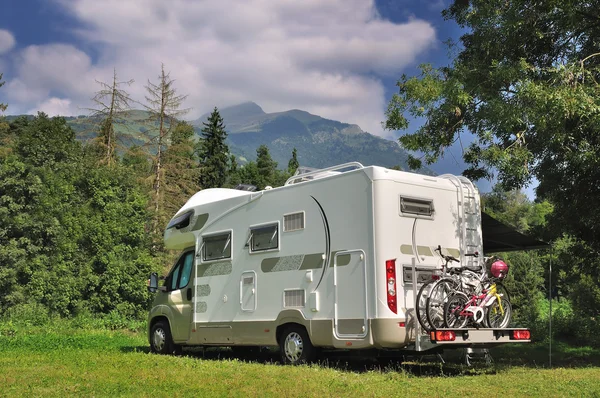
(164, 106)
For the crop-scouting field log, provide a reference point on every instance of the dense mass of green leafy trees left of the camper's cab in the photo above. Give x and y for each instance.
(72, 233)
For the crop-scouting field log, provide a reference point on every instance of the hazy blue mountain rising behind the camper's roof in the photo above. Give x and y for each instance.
(320, 142)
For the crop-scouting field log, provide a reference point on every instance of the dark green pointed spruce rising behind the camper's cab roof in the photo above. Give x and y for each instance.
(213, 152)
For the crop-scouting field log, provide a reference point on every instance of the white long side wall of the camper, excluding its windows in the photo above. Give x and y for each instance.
(316, 276)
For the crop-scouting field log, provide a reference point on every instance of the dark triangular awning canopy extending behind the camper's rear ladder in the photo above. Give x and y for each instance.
(499, 237)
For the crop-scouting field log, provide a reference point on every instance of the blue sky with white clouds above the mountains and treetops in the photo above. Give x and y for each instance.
(339, 59)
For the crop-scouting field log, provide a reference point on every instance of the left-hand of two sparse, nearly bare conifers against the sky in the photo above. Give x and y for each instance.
(110, 102)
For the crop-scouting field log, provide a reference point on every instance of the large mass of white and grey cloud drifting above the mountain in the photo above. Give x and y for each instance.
(322, 56)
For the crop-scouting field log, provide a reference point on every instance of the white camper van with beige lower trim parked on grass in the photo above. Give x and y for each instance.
(326, 261)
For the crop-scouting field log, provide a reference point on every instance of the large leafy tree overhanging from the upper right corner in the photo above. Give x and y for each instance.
(524, 83)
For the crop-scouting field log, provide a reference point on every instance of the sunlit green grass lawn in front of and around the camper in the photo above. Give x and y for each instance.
(35, 362)
